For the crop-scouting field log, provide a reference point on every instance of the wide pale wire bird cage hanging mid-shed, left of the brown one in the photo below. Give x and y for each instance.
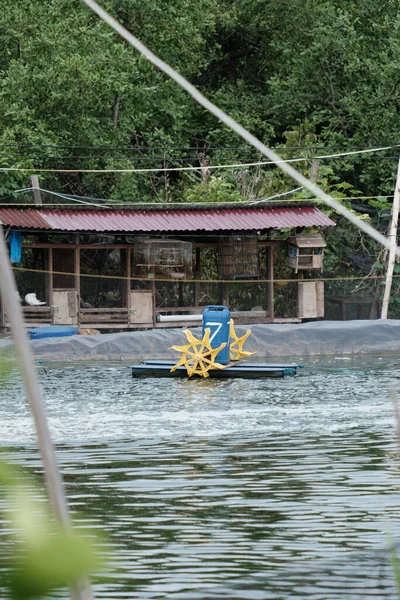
(162, 259)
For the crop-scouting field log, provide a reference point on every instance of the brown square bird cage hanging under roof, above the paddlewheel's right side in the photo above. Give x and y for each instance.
(238, 257)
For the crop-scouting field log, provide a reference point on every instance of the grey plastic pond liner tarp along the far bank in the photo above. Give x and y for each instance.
(305, 339)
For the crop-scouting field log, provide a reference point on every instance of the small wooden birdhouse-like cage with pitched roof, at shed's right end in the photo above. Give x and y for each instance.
(306, 252)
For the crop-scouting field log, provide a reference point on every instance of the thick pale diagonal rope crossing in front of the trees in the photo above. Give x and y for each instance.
(236, 127)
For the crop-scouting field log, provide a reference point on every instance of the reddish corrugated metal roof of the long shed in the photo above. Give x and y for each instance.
(188, 220)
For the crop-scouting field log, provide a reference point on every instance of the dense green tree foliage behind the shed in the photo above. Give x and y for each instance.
(73, 95)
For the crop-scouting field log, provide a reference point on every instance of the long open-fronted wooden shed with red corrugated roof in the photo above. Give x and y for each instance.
(134, 266)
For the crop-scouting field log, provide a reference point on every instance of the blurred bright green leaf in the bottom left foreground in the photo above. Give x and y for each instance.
(45, 556)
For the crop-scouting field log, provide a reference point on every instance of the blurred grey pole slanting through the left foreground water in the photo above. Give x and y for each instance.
(58, 502)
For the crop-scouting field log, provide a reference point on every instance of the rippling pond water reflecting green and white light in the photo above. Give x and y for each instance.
(268, 489)
